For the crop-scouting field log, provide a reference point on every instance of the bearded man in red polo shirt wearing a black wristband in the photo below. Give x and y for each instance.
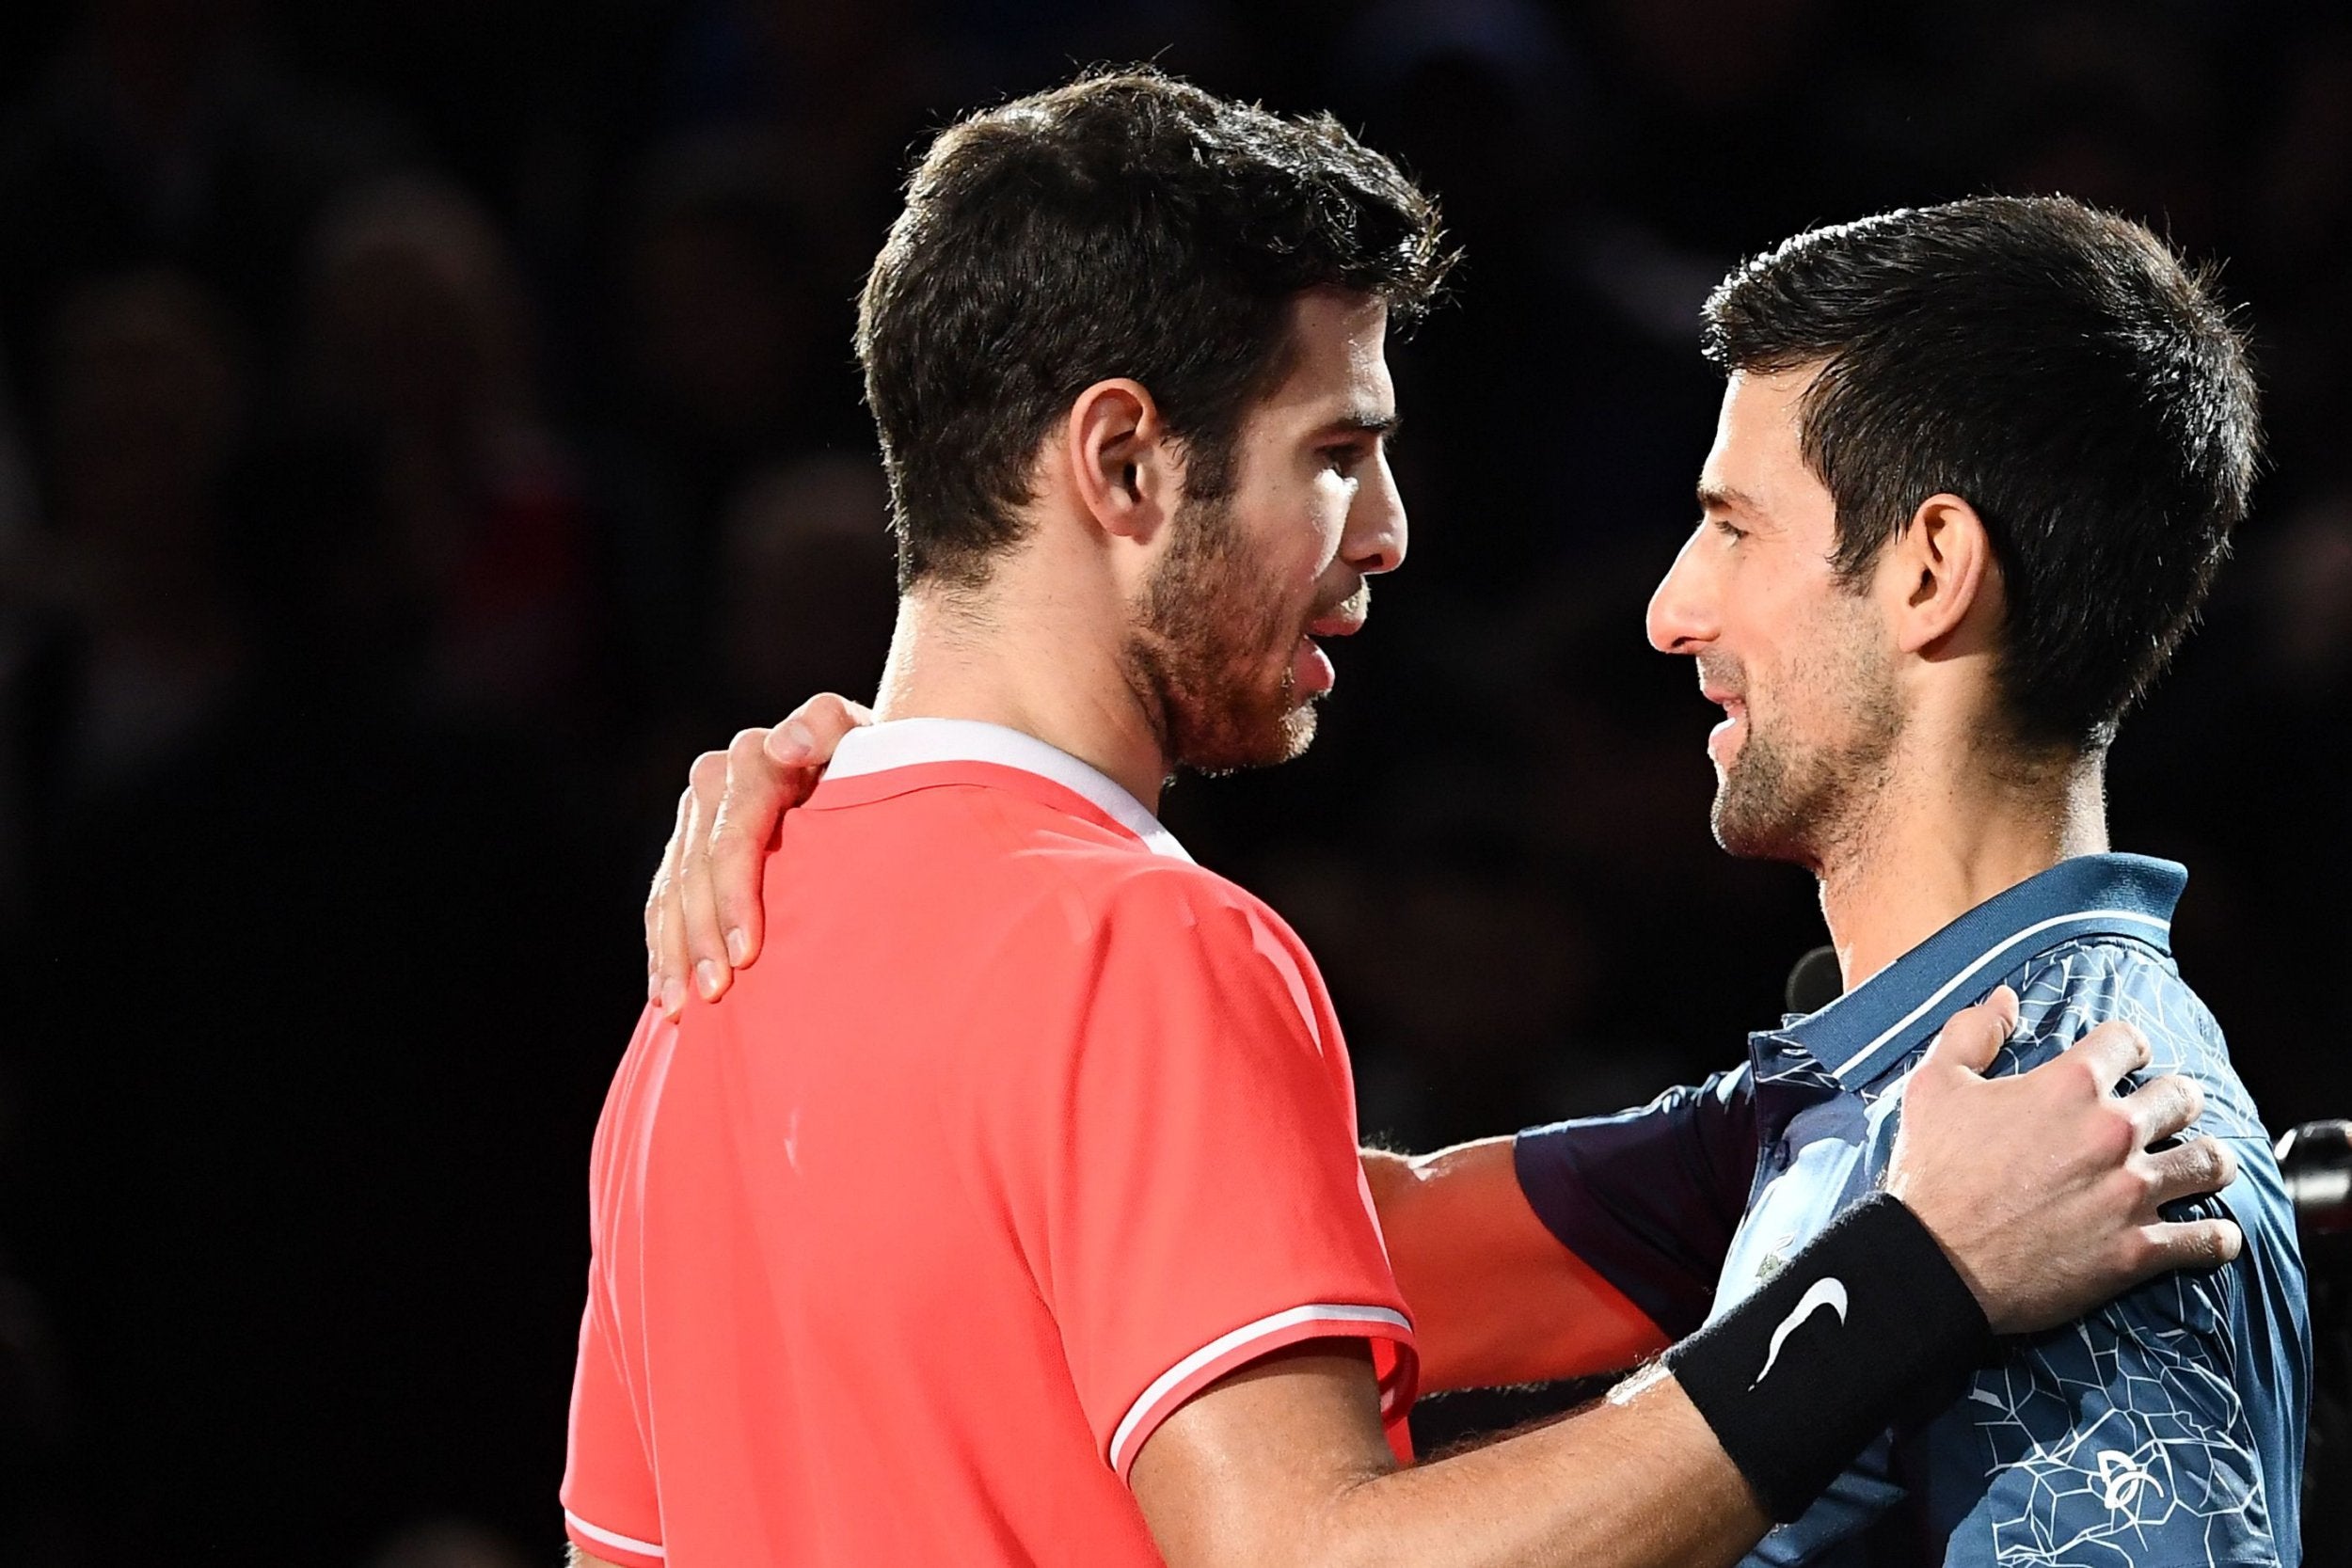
(1010, 1209)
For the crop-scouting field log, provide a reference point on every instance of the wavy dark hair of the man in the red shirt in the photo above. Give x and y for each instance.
(1123, 225)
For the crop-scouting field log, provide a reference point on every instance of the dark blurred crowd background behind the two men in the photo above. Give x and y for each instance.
(425, 424)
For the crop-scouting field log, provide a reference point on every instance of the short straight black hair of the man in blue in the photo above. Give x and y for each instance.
(2062, 373)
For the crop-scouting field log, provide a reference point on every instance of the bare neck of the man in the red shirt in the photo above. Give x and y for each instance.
(1048, 664)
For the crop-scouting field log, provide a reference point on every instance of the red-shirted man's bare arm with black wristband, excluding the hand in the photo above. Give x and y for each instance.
(1281, 1466)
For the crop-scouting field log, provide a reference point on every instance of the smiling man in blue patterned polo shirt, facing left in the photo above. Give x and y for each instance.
(1975, 471)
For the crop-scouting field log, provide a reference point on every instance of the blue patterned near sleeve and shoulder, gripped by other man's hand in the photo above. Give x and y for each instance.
(2165, 1428)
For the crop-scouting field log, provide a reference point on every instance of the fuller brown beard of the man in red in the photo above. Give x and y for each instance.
(1210, 626)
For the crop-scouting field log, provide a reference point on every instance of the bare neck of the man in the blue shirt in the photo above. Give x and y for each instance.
(1942, 845)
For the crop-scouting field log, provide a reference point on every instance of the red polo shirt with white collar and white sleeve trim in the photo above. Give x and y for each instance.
(1022, 1132)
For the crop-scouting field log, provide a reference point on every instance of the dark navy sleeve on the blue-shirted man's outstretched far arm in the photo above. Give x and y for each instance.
(1650, 1198)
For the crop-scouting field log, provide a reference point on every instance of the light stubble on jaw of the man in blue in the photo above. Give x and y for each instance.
(1815, 803)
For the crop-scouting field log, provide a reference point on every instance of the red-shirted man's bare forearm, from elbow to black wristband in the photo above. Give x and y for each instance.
(1636, 1482)
